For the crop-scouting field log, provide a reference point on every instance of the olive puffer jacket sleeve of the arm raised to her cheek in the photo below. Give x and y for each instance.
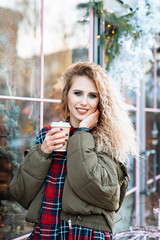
(92, 179)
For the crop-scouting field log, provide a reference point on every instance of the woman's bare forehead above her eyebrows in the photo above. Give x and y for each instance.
(83, 83)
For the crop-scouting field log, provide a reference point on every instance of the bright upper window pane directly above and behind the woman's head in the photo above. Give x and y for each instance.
(65, 41)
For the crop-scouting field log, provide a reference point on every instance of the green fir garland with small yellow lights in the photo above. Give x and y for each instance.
(114, 28)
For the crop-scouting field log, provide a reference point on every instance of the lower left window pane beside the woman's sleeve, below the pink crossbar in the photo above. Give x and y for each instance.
(19, 124)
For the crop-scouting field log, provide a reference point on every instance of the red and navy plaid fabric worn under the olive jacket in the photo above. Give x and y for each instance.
(50, 226)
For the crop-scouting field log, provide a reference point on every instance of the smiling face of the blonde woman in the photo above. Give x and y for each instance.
(82, 99)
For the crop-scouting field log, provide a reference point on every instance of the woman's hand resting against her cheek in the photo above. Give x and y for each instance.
(90, 121)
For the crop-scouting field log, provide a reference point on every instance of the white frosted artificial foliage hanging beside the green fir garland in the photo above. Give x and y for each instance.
(136, 54)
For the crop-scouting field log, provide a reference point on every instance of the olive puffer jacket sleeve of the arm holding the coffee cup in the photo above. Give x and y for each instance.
(30, 176)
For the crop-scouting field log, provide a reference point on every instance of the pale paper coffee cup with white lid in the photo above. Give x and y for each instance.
(66, 129)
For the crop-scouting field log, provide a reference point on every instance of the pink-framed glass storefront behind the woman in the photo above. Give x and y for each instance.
(37, 42)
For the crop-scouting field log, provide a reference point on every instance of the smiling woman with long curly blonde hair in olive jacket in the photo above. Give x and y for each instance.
(81, 204)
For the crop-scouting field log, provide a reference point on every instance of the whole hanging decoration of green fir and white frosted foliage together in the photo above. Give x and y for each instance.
(128, 40)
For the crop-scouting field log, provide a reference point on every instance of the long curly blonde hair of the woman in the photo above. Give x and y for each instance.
(114, 133)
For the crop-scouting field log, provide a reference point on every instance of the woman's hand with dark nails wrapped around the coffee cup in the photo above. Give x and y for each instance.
(54, 139)
